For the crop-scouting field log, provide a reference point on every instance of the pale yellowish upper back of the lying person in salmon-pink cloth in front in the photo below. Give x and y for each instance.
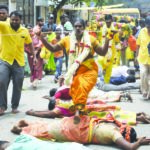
(105, 133)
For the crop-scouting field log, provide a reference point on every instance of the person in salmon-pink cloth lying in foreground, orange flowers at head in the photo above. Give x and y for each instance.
(87, 131)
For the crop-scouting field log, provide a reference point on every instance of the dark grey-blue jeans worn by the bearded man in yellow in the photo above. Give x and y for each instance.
(8, 72)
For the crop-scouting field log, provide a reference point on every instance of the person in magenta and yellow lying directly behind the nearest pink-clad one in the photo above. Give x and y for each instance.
(94, 108)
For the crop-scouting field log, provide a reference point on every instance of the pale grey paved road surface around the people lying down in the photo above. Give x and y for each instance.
(33, 99)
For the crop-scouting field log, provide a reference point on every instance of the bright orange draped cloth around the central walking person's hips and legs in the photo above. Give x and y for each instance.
(83, 82)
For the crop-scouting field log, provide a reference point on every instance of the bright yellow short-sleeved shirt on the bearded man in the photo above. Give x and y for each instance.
(12, 47)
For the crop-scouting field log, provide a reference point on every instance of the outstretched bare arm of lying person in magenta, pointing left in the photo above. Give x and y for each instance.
(42, 114)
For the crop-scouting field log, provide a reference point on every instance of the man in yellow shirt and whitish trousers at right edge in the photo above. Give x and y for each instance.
(143, 53)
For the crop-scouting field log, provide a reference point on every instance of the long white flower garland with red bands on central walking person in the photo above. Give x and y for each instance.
(77, 54)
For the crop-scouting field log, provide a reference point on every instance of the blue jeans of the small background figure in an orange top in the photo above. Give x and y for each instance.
(58, 62)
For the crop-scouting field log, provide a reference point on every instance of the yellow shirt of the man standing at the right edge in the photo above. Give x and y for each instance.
(143, 41)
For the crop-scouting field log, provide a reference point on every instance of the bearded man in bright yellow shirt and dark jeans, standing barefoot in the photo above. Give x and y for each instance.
(14, 36)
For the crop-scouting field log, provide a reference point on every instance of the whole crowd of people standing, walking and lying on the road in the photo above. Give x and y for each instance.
(88, 48)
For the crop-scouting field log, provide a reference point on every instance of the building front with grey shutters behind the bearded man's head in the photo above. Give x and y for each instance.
(30, 9)
